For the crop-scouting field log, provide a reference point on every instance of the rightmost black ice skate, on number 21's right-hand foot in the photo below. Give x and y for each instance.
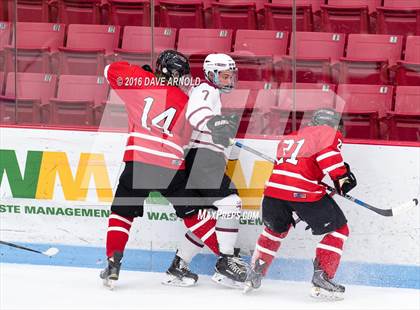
(323, 287)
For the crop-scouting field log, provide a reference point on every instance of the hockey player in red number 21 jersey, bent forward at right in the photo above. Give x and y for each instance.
(303, 159)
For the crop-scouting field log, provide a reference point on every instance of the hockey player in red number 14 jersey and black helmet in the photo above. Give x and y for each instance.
(158, 130)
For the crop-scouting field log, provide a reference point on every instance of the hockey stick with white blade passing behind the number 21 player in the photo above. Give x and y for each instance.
(384, 212)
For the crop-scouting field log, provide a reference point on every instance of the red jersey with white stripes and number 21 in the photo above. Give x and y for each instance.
(303, 159)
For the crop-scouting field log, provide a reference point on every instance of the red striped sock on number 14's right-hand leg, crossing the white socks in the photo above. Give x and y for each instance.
(204, 229)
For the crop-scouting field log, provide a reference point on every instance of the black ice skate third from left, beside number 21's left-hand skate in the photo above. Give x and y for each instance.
(230, 271)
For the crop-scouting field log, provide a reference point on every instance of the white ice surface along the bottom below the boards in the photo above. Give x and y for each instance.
(46, 287)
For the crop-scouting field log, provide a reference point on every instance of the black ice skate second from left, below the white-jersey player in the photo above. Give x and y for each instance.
(178, 274)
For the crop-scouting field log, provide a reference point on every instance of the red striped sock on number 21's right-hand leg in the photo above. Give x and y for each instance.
(329, 250)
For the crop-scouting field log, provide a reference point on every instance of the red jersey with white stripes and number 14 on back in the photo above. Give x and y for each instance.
(158, 129)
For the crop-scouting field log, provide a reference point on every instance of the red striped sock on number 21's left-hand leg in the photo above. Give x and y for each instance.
(267, 245)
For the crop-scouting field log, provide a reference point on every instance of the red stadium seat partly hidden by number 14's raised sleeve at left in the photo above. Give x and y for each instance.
(77, 97)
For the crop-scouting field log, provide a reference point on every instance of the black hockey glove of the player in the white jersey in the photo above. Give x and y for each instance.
(223, 128)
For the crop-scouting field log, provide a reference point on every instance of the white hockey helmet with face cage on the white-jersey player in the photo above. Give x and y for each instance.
(216, 63)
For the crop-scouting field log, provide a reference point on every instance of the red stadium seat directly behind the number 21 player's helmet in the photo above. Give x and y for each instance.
(304, 99)
